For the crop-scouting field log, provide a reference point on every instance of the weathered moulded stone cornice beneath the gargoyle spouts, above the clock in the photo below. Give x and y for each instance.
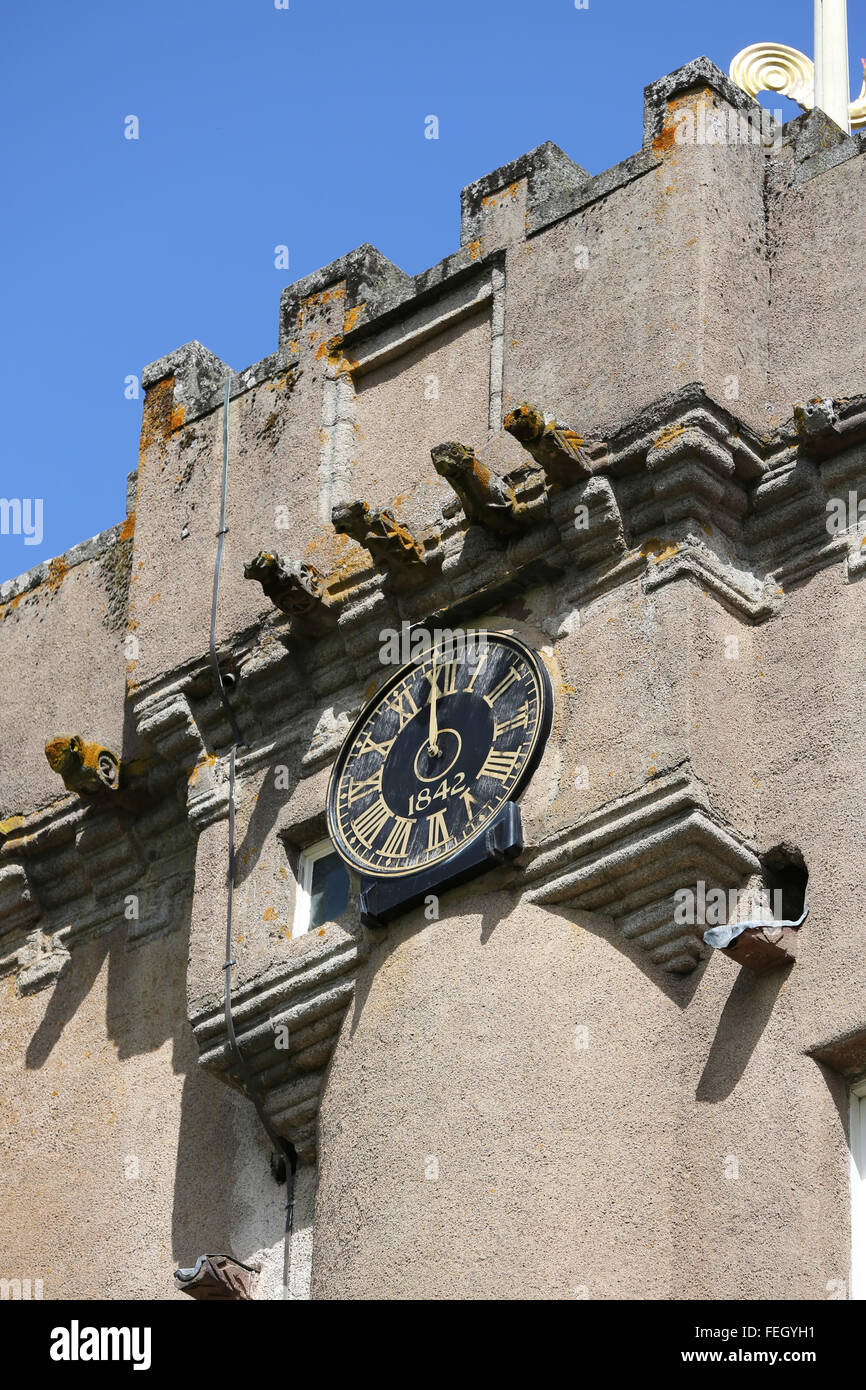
(685, 493)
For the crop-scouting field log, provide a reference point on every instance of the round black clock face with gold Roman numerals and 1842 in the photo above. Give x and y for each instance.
(437, 753)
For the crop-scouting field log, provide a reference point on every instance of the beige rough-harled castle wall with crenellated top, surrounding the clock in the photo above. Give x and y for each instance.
(611, 423)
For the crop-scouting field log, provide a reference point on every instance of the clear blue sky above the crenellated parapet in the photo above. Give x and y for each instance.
(263, 127)
